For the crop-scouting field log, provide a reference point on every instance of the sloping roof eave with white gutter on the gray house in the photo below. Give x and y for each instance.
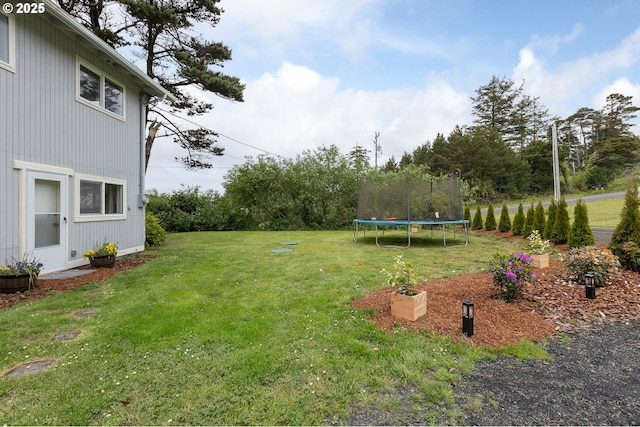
(62, 20)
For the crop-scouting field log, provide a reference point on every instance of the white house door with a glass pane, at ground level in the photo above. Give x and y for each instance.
(47, 219)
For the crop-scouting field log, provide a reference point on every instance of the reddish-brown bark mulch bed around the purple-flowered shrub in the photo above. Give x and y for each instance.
(552, 305)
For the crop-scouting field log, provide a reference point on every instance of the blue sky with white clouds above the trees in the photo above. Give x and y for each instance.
(337, 71)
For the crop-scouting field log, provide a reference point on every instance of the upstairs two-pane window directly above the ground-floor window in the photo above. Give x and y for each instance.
(100, 91)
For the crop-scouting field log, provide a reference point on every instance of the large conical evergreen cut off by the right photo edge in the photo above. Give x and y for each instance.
(625, 241)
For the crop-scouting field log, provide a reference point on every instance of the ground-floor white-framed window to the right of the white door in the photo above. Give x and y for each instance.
(99, 199)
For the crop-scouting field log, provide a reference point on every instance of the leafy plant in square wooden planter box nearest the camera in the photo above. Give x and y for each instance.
(406, 302)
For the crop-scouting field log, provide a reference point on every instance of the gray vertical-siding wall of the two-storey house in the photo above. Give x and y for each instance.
(41, 122)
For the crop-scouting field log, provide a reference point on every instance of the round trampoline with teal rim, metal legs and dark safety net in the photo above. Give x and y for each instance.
(410, 201)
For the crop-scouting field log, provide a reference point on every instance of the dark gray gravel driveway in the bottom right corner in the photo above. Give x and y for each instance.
(592, 380)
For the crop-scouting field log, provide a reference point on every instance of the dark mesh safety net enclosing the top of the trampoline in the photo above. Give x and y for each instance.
(411, 198)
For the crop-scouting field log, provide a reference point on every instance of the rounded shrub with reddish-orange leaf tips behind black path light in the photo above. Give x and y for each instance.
(591, 259)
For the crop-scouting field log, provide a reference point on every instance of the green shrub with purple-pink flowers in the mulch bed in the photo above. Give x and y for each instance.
(511, 273)
